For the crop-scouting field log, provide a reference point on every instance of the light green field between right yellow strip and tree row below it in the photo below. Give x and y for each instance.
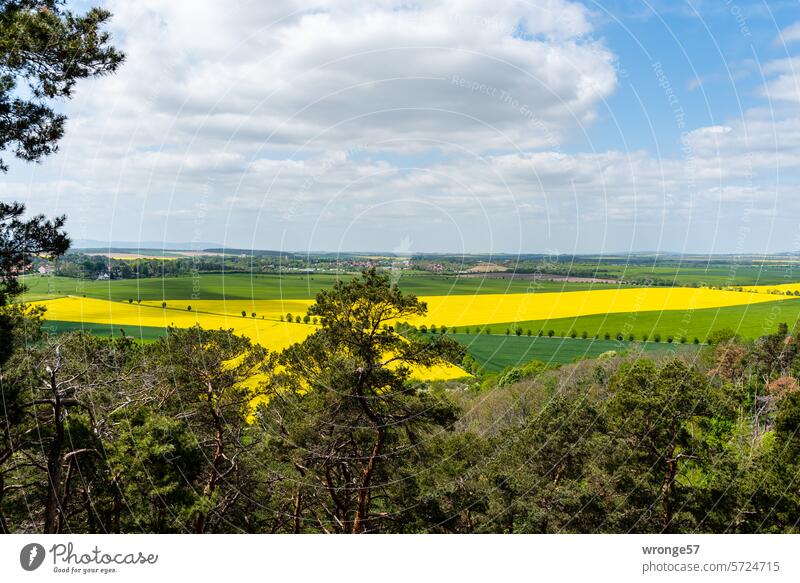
(748, 321)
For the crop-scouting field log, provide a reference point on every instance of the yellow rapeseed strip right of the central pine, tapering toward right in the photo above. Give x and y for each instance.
(469, 310)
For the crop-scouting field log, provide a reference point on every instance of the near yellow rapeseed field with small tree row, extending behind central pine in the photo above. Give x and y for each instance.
(271, 334)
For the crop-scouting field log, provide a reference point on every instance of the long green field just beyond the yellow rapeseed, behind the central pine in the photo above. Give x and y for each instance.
(241, 286)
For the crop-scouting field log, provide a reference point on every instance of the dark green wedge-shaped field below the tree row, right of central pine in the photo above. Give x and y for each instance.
(497, 351)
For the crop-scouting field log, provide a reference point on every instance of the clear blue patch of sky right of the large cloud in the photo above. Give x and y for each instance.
(711, 52)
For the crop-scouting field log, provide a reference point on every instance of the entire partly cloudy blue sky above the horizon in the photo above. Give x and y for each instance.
(459, 126)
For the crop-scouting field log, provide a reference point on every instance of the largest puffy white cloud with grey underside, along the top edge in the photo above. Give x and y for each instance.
(299, 76)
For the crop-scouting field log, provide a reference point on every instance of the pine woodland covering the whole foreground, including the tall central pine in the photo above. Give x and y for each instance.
(203, 431)
